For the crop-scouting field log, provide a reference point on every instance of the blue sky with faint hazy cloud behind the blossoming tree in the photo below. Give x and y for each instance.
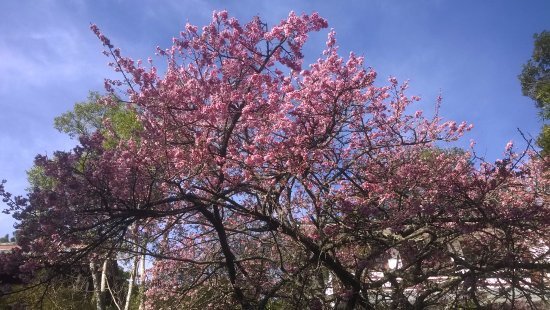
(470, 51)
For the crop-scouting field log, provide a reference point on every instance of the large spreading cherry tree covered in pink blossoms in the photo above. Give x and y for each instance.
(261, 183)
